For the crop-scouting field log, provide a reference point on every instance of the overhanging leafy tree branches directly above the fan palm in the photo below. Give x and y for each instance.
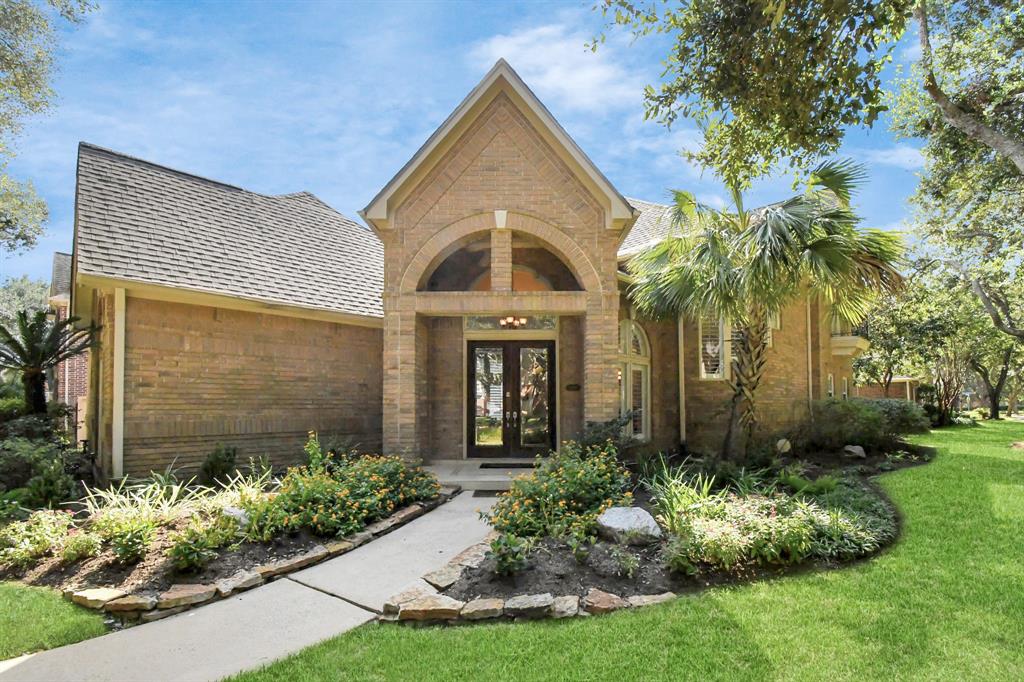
(766, 81)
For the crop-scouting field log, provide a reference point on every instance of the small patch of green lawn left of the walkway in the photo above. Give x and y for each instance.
(33, 619)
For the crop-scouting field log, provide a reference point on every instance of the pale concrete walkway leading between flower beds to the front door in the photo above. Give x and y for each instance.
(273, 621)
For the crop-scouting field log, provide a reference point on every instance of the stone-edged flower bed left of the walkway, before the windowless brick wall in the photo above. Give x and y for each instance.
(151, 547)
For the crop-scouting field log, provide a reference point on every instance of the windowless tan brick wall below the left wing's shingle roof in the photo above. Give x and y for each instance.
(196, 376)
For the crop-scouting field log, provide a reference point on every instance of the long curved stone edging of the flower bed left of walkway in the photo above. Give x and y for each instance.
(132, 609)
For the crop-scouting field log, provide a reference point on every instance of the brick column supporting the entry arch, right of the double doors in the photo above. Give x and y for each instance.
(602, 358)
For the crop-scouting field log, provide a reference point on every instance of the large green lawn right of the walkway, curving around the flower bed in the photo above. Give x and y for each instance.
(947, 603)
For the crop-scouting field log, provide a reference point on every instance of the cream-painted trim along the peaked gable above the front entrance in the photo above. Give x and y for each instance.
(501, 76)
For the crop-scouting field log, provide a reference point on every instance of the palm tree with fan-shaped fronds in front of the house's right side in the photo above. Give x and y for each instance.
(747, 266)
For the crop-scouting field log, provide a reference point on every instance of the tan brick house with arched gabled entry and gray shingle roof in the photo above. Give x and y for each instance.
(482, 315)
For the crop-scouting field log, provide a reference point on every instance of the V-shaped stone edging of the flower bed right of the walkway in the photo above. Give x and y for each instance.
(423, 602)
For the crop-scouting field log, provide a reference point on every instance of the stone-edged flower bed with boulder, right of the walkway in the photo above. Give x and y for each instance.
(564, 544)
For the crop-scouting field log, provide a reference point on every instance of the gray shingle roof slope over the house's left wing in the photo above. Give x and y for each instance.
(146, 223)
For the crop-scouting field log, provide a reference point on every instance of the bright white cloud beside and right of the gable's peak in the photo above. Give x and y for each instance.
(556, 62)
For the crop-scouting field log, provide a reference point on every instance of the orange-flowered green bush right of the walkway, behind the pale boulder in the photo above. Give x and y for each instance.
(564, 495)
